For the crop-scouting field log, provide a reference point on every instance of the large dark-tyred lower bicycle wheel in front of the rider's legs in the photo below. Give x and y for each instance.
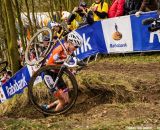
(40, 94)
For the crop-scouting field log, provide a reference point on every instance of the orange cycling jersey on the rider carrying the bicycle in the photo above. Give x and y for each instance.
(57, 54)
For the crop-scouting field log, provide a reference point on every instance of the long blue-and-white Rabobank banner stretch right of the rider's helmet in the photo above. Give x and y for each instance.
(119, 35)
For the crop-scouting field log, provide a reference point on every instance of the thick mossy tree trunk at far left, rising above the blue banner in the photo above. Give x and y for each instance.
(12, 41)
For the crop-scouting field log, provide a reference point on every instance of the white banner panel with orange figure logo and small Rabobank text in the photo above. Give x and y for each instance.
(118, 34)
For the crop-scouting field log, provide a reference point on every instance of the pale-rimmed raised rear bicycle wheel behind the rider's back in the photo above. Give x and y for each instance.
(38, 47)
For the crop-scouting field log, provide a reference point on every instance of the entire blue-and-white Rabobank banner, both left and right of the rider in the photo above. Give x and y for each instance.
(115, 35)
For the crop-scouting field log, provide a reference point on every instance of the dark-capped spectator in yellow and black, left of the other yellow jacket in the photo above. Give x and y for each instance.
(81, 14)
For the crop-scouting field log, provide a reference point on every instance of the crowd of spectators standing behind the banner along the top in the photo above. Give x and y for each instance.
(84, 14)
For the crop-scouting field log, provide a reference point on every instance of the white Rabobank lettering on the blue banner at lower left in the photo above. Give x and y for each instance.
(18, 85)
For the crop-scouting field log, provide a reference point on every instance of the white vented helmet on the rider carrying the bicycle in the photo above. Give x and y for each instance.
(75, 38)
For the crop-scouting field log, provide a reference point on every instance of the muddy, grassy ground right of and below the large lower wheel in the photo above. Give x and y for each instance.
(114, 94)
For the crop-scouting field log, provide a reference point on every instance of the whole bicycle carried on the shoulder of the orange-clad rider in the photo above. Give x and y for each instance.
(38, 91)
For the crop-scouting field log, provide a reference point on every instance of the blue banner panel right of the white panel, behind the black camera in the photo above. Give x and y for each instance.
(143, 40)
